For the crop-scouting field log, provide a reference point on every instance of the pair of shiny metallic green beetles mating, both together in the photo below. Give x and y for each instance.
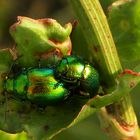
(48, 86)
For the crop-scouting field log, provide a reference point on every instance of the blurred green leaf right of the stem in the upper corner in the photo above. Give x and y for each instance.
(124, 22)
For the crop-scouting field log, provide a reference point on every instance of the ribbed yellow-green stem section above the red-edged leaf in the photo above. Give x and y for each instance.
(93, 22)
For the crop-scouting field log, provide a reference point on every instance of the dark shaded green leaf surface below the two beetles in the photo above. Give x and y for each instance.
(17, 116)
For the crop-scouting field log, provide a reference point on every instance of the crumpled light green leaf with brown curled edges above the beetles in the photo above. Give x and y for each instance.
(43, 38)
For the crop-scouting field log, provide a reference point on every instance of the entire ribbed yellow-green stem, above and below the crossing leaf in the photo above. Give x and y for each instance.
(97, 33)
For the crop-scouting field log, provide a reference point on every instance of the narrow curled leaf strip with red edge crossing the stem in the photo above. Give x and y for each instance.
(126, 83)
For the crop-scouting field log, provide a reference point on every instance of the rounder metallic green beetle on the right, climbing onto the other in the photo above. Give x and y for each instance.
(73, 70)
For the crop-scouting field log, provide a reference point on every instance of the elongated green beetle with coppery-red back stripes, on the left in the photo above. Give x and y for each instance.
(38, 85)
